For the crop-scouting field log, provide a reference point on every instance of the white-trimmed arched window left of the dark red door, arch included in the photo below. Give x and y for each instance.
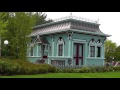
(60, 46)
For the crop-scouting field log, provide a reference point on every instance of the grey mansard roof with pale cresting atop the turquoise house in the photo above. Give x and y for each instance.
(70, 23)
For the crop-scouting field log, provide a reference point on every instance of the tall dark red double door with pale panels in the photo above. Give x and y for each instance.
(78, 53)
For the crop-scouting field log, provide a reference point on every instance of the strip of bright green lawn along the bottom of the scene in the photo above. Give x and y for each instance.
(69, 75)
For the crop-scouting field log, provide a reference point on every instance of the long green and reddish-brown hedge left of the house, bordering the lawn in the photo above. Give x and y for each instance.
(12, 67)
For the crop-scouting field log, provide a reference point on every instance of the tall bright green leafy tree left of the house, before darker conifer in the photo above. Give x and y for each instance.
(19, 27)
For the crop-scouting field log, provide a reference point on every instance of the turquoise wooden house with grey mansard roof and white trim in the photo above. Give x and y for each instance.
(68, 41)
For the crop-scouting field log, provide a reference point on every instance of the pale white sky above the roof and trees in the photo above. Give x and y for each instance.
(109, 21)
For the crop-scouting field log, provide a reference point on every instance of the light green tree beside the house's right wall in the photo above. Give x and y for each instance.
(110, 48)
